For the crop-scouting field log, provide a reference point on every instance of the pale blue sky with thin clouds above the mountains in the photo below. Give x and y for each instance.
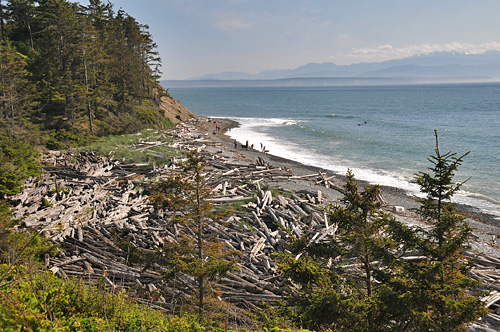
(198, 37)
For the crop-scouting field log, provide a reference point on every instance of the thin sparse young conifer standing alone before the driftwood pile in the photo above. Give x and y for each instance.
(201, 257)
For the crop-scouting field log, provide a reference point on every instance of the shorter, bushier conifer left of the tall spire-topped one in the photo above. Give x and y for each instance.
(338, 281)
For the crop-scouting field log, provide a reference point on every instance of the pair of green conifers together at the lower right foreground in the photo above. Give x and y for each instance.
(356, 281)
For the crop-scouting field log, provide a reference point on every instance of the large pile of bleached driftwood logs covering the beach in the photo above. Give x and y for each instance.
(91, 205)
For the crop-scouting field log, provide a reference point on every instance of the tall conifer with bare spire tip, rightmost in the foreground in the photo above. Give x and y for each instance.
(437, 292)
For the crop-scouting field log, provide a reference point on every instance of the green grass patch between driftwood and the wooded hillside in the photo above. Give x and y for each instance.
(134, 148)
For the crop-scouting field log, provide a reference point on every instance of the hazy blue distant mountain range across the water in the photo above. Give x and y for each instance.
(444, 67)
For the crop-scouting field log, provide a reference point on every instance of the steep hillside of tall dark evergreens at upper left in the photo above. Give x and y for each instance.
(71, 72)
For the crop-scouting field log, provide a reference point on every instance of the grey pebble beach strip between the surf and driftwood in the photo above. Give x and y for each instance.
(486, 227)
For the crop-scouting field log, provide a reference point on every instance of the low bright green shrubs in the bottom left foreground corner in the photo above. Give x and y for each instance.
(42, 302)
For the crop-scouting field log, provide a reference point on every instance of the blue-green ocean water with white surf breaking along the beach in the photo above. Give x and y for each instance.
(383, 133)
